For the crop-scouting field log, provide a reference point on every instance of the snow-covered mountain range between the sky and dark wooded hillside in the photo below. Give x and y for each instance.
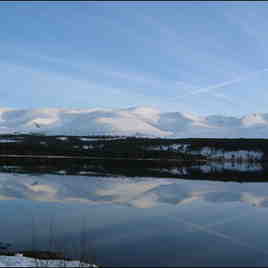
(131, 121)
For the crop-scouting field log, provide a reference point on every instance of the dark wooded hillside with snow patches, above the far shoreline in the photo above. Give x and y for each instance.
(133, 147)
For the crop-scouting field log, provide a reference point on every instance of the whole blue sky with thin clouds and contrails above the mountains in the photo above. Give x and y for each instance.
(199, 57)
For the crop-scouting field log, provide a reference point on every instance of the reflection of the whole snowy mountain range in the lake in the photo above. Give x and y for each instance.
(138, 192)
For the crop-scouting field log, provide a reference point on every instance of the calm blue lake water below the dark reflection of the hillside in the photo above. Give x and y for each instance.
(138, 221)
